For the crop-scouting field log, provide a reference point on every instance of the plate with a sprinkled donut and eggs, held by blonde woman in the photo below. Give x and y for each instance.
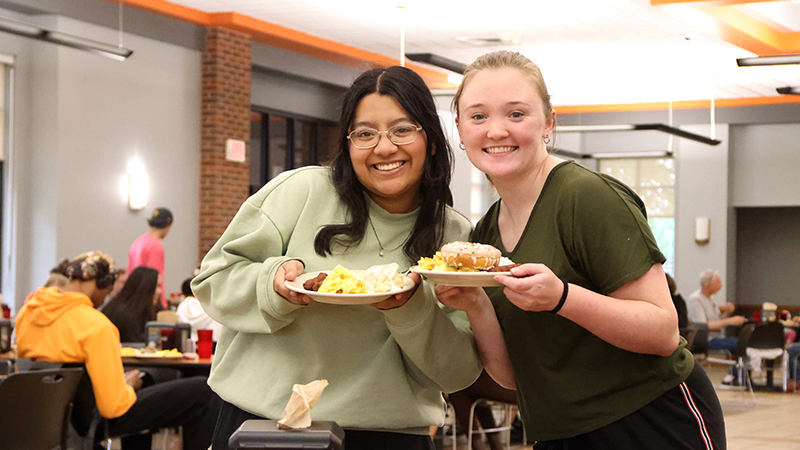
(465, 264)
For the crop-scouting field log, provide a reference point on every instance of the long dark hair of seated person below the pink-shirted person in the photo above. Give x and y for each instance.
(133, 307)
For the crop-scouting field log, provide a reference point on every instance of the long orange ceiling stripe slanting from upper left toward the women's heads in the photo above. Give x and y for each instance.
(287, 38)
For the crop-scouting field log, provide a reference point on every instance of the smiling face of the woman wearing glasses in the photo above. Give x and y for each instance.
(391, 173)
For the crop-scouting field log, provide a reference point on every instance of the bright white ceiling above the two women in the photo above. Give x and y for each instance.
(590, 51)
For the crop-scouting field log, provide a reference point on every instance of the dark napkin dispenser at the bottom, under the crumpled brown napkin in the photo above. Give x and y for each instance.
(265, 434)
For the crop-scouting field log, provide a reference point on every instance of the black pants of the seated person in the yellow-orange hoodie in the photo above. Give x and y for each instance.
(185, 402)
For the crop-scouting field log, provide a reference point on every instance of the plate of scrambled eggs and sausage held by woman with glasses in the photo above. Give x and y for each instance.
(342, 286)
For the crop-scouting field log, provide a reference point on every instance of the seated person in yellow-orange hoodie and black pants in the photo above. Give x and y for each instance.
(63, 325)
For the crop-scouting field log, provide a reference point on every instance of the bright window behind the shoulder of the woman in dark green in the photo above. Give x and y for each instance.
(654, 180)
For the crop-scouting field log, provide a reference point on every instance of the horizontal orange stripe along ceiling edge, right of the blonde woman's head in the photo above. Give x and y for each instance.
(694, 104)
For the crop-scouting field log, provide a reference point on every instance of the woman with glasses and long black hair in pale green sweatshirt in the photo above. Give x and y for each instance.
(383, 199)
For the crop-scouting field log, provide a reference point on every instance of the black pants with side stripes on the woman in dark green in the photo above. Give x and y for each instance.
(688, 416)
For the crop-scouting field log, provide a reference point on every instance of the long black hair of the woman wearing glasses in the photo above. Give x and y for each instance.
(408, 88)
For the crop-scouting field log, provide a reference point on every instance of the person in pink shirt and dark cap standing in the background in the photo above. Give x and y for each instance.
(148, 251)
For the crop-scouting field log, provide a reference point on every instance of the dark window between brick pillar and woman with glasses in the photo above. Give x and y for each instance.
(280, 142)
